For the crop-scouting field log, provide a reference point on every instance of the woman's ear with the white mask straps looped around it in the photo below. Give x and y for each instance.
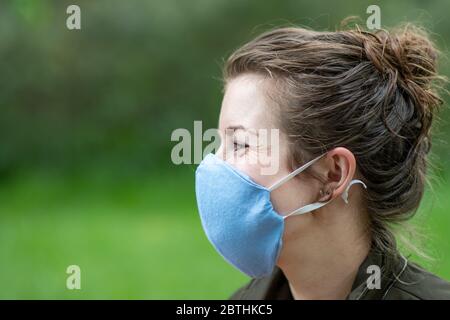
(340, 166)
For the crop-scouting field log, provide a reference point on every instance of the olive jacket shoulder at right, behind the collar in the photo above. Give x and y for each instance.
(417, 283)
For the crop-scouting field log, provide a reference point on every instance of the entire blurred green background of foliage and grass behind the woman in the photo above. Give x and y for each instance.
(86, 118)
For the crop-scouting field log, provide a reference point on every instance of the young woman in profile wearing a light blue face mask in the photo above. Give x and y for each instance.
(354, 111)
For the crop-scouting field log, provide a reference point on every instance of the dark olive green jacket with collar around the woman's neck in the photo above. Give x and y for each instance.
(399, 280)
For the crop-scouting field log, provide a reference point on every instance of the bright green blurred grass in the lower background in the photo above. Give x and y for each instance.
(133, 238)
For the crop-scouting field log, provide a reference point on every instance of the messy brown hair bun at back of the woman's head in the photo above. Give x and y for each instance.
(407, 58)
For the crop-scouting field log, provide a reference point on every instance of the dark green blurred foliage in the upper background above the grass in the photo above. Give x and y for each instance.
(111, 93)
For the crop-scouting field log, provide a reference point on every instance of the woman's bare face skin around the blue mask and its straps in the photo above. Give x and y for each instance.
(246, 112)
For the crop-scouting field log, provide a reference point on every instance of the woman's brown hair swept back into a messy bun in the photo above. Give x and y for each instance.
(371, 92)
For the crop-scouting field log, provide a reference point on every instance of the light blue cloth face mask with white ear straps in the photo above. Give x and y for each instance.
(238, 217)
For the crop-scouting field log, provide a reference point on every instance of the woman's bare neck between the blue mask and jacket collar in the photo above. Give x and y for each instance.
(325, 266)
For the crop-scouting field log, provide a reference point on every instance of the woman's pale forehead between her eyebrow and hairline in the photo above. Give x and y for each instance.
(245, 103)
